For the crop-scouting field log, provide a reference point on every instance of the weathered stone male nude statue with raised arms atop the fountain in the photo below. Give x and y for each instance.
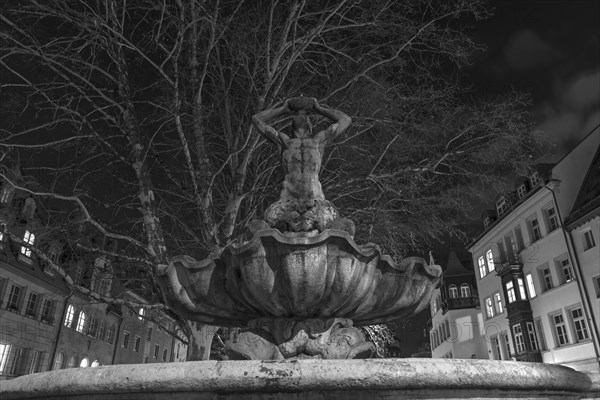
(302, 206)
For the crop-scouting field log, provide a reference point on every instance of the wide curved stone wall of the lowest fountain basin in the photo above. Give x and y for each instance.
(310, 379)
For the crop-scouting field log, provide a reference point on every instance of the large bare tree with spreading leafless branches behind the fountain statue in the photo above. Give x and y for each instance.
(137, 113)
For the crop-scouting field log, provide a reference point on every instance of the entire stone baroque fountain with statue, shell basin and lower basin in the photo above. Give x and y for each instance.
(299, 286)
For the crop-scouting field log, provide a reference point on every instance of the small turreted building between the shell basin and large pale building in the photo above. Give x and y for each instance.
(456, 322)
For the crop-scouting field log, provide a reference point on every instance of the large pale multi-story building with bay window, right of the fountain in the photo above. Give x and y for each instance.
(529, 278)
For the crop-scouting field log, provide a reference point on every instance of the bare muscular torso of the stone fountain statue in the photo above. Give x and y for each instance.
(301, 160)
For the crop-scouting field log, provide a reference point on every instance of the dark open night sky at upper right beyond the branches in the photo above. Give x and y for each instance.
(550, 49)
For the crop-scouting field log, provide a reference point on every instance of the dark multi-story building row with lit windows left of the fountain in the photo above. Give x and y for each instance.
(44, 325)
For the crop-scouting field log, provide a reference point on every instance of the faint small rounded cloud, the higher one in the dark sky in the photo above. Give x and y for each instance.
(526, 50)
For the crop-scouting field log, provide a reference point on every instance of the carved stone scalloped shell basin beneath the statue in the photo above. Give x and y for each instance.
(296, 276)
